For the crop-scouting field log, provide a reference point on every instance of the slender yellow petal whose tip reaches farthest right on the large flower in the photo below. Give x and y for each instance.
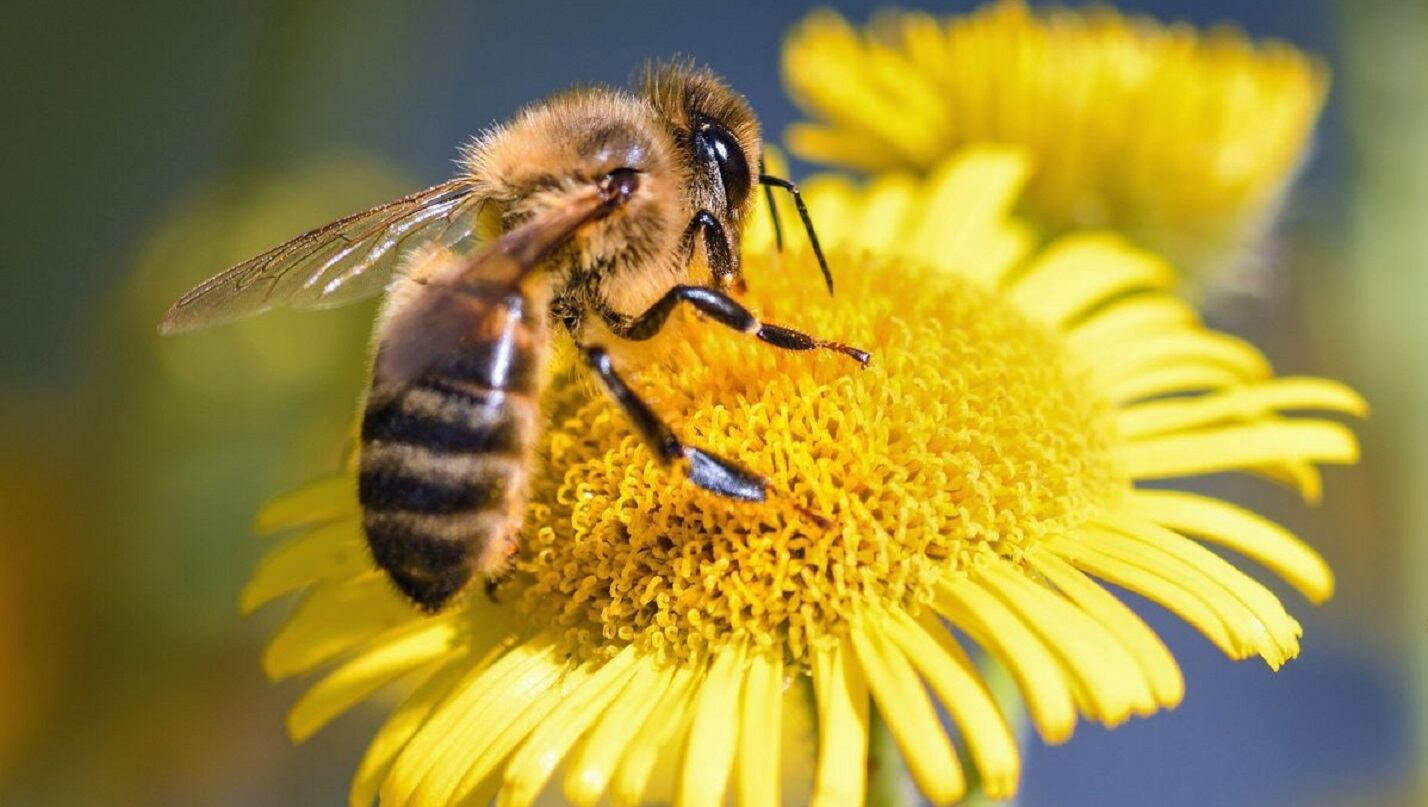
(1239, 403)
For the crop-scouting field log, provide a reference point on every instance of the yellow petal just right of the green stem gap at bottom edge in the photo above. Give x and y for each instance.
(910, 716)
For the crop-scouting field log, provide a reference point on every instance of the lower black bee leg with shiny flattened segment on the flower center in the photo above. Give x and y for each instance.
(725, 478)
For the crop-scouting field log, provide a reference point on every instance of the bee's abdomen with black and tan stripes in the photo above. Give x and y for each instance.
(445, 459)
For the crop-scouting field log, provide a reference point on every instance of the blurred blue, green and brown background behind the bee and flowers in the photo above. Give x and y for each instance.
(146, 146)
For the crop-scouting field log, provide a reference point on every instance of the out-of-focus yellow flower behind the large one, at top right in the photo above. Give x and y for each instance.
(1185, 142)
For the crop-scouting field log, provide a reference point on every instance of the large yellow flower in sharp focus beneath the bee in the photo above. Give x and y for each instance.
(980, 475)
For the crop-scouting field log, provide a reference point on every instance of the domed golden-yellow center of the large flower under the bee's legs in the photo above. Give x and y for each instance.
(969, 435)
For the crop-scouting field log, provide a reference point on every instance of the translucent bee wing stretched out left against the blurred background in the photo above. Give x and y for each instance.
(335, 265)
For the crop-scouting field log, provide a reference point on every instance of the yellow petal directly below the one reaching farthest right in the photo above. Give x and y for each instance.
(1232, 448)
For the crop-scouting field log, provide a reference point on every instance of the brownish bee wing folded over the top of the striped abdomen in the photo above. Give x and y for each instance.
(478, 299)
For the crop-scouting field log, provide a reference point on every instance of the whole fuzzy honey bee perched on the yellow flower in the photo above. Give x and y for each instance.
(582, 216)
